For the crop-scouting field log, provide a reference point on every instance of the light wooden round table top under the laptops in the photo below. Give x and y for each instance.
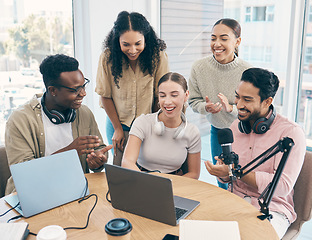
(216, 204)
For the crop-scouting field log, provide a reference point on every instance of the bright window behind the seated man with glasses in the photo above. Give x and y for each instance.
(29, 31)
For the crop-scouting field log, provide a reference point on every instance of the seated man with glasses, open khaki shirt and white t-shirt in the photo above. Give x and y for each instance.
(56, 121)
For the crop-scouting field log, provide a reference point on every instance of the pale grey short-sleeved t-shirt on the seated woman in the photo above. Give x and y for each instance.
(163, 152)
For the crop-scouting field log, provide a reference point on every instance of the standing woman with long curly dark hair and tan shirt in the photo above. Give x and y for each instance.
(129, 69)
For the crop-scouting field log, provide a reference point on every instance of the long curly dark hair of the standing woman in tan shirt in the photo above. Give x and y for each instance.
(148, 59)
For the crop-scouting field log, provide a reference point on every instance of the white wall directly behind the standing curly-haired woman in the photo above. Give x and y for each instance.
(93, 19)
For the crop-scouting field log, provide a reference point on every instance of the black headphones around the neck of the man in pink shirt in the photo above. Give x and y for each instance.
(260, 126)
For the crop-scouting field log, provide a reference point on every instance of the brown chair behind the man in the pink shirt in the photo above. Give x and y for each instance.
(302, 198)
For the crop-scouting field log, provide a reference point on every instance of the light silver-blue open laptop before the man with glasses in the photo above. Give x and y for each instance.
(48, 182)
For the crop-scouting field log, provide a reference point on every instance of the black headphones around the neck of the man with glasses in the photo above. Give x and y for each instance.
(57, 117)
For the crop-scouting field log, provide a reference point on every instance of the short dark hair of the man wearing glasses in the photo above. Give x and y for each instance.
(52, 66)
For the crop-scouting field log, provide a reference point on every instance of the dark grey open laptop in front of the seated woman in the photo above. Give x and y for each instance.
(146, 195)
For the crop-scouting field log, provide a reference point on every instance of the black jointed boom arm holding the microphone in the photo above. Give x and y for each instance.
(284, 145)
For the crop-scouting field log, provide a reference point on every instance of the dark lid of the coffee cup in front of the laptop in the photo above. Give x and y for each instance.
(118, 227)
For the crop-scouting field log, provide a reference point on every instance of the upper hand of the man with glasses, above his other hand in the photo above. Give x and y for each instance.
(84, 144)
